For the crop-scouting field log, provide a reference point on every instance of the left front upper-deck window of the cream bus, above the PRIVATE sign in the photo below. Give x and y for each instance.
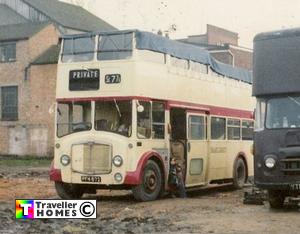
(79, 49)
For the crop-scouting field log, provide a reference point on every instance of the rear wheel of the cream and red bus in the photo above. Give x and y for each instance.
(239, 174)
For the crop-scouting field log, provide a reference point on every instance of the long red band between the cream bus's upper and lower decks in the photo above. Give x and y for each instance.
(212, 110)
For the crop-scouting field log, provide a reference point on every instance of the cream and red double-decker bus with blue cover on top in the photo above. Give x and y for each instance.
(128, 101)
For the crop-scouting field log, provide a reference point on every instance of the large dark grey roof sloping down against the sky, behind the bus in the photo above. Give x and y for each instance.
(70, 16)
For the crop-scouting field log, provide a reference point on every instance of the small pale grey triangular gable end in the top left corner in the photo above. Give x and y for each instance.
(8, 16)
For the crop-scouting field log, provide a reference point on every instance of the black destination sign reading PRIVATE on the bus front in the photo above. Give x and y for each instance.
(85, 79)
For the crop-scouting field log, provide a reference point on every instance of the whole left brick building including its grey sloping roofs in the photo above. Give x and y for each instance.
(29, 37)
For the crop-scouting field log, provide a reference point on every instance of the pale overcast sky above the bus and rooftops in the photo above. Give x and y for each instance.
(246, 17)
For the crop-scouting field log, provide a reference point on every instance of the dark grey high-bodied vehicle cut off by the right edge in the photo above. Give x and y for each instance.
(276, 85)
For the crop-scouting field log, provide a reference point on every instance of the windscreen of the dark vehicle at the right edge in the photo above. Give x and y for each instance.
(283, 112)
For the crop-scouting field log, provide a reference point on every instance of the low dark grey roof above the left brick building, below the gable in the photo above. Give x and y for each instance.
(20, 31)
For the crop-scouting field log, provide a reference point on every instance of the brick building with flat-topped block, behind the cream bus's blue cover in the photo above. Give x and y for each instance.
(223, 45)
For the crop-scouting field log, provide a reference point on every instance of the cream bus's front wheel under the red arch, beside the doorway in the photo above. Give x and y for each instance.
(151, 185)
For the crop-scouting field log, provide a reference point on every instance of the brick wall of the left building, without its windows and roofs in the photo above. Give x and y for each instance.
(32, 133)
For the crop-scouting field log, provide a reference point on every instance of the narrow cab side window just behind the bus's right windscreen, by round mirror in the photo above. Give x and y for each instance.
(144, 121)
